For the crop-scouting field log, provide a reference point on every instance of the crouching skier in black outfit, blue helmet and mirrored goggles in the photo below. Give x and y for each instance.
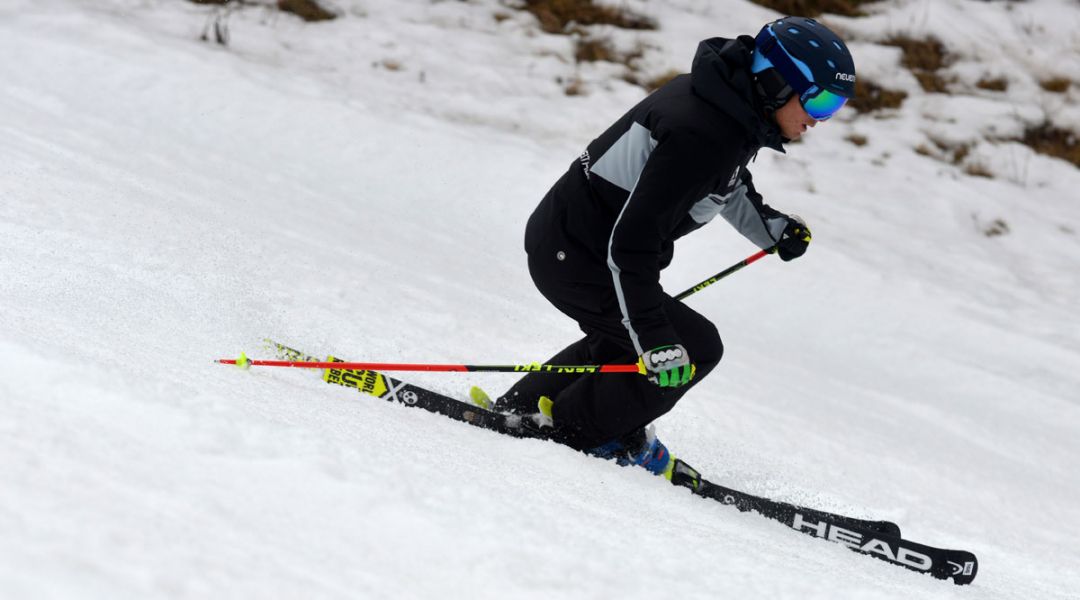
(602, 235)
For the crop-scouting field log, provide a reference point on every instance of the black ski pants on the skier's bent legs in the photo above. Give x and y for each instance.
(593, 410)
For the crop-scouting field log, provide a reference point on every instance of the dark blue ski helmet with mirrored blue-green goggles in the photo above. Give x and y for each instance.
(800, 57)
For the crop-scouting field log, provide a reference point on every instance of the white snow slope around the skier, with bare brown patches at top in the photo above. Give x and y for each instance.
(166, 202)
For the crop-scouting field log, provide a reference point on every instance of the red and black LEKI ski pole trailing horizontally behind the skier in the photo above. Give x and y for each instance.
(245, 363)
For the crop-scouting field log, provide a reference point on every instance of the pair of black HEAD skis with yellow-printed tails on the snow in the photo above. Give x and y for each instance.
(877, 539)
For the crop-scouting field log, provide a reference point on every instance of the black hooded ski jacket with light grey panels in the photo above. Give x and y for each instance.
(666, 169)
